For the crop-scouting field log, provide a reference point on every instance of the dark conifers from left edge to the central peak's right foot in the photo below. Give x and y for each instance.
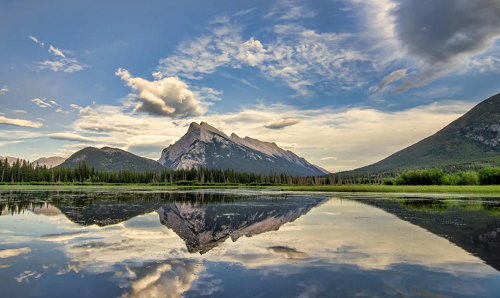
(23, 172)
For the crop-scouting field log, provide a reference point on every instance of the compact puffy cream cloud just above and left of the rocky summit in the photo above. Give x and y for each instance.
(165, 97)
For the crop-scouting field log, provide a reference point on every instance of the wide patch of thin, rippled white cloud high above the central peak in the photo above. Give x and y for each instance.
(300, 57)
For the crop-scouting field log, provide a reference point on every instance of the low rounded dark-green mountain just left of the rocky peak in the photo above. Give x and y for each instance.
(111, 159)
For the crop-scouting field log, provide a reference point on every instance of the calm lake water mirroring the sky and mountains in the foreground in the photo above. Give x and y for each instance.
(246, 244)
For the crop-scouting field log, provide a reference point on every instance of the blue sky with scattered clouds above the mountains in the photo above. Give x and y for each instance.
(342, 83)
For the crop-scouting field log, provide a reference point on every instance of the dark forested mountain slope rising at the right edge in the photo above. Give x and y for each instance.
(474, 137)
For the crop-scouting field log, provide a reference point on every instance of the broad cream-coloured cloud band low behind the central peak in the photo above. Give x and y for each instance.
(357, 136)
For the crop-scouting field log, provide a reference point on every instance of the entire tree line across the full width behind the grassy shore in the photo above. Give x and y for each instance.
(22, 171)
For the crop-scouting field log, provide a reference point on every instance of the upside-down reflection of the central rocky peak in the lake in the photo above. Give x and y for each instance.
(205, 226)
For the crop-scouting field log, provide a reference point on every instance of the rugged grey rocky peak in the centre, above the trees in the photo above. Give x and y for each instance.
(206, 146)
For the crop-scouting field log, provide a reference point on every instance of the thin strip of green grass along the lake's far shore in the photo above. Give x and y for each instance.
(356, 188)
